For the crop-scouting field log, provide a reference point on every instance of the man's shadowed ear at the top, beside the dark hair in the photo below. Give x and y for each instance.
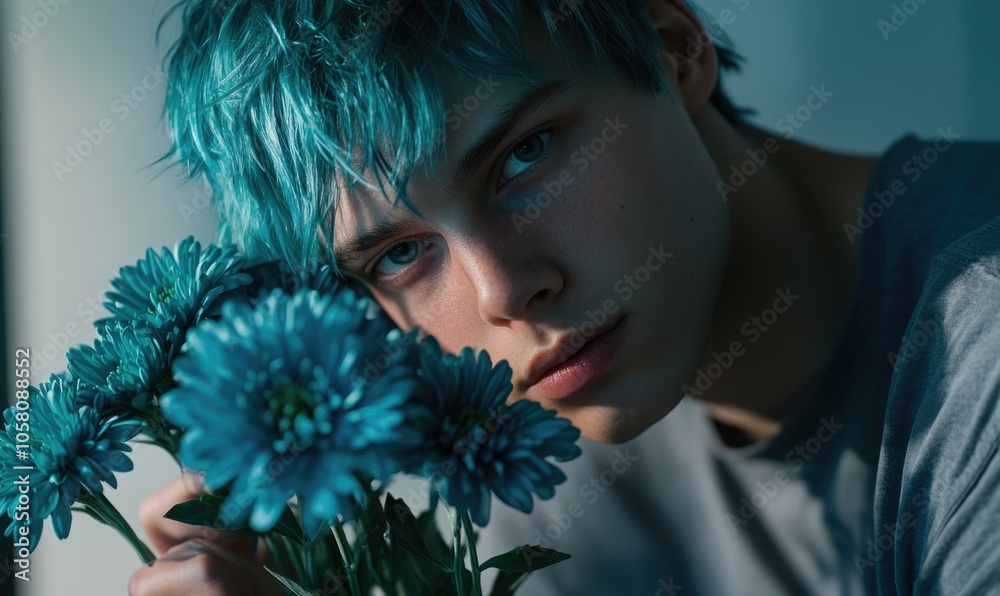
(687, 54)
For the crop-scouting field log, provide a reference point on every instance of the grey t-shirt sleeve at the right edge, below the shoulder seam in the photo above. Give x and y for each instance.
(937, 509)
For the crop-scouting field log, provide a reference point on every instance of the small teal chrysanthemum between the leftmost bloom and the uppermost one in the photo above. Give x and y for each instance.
(125, 365)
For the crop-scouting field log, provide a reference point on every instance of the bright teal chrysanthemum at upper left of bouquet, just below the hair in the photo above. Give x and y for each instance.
(173, 291)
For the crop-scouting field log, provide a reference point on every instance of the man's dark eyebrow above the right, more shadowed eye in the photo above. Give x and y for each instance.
(530, 99)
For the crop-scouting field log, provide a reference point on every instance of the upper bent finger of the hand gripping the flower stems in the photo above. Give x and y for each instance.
(165, 533)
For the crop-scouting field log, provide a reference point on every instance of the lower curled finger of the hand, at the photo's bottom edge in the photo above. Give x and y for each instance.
(203, 568)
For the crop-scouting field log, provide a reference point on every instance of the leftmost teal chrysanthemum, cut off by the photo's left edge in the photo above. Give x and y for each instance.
(70, 448)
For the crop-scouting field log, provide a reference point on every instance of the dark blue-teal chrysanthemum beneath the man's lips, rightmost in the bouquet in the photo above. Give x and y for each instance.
(475, 444)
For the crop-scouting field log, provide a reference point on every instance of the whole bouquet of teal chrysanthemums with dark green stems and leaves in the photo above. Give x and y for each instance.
(298, 399)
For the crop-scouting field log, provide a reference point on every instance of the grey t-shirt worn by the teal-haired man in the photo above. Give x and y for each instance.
(885, 480)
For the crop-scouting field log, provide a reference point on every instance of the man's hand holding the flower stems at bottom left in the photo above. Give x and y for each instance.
(196, 560)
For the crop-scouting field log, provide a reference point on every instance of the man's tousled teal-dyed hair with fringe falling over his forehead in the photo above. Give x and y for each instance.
(280, 103)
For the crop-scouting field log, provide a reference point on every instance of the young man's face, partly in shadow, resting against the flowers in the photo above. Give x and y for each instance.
(597, 208)
